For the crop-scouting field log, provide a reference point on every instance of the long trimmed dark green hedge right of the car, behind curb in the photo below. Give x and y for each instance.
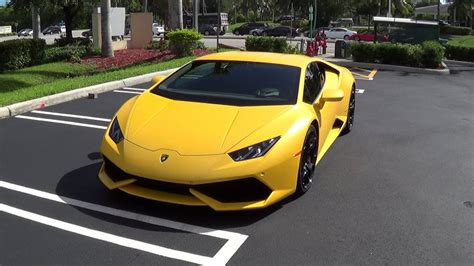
(429, 54)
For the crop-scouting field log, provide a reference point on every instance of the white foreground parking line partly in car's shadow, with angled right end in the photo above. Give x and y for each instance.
(235, 240)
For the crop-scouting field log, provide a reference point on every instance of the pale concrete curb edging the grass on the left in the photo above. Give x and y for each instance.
(23, 107)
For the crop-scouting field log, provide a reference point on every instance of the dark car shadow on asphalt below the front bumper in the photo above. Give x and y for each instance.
(83, 184)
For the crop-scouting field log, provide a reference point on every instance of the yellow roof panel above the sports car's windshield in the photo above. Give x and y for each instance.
(261, 57)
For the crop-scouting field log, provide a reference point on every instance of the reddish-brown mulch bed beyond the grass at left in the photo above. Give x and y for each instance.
(129, 57)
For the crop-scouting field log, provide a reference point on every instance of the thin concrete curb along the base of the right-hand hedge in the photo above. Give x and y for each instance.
(349, 63)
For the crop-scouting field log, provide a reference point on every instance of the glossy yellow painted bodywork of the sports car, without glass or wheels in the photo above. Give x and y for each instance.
(197, 137)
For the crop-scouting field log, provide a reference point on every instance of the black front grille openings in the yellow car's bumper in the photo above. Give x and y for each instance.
(241, 190)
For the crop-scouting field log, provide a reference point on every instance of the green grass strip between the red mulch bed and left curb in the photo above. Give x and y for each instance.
(43, 80)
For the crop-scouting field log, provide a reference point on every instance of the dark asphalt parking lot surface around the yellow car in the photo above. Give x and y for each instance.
(397, 190)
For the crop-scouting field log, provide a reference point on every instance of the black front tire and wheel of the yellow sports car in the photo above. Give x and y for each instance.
(306, 168)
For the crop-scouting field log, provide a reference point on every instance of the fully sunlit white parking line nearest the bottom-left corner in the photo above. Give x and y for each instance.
(114, 239)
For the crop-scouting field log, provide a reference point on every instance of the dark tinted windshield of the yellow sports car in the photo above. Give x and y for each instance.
(233, 83)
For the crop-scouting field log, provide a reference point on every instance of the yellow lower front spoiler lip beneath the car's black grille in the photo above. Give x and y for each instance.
(194, 198)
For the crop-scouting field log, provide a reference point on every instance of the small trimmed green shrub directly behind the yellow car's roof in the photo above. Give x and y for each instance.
(267, 44)
